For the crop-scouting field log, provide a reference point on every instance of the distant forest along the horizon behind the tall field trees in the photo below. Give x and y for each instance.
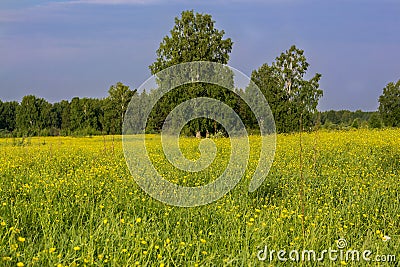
(89, 116)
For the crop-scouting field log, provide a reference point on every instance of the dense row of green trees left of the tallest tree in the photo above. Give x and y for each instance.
(80, 116)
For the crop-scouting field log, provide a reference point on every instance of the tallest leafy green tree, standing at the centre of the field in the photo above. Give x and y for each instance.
(193, 38)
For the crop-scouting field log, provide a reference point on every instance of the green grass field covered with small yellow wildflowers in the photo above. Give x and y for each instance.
(72, 202)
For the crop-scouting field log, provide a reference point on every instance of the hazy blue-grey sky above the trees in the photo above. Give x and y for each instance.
(61, 49)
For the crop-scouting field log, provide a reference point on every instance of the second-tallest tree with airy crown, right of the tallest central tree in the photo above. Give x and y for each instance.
(290, 96)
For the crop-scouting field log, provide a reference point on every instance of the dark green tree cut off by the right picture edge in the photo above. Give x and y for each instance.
(389, 104)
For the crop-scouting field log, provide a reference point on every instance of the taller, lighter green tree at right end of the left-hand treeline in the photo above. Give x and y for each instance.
(114, 107)
